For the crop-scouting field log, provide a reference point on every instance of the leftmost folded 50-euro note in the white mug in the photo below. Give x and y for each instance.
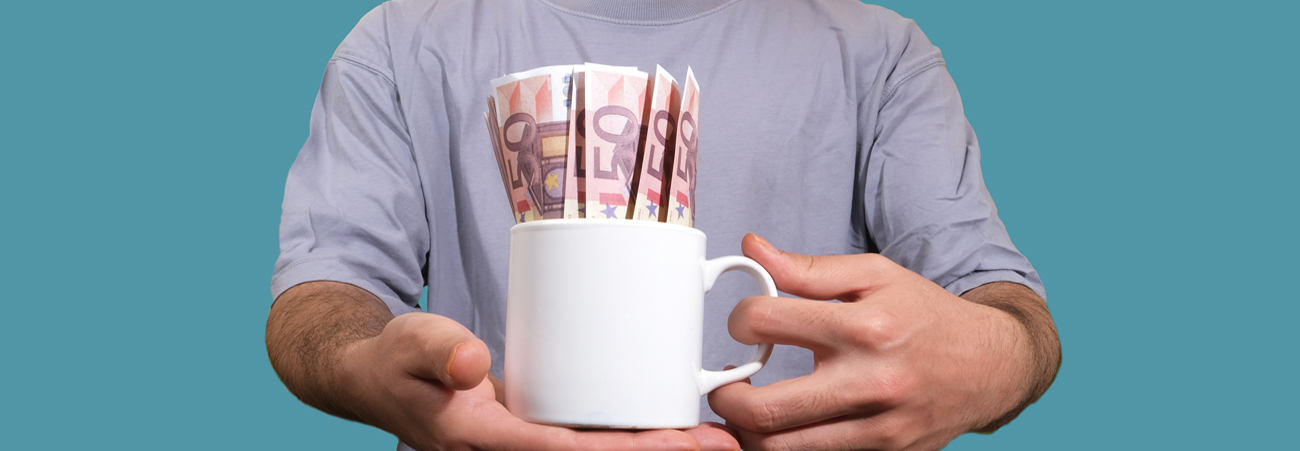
(532, 114)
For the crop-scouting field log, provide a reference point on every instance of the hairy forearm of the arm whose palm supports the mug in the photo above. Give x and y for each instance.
(307, 331)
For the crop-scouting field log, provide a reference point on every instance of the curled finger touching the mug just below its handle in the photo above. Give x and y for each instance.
(785, 405)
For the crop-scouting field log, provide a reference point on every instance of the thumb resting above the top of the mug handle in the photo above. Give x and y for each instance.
(821, 277)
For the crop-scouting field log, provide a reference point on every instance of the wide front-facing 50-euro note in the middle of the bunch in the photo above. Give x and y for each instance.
(614, 99)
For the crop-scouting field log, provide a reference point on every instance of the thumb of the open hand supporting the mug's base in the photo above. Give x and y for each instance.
(436, 348)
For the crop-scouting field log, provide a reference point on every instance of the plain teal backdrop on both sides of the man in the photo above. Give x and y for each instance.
(1142, 154)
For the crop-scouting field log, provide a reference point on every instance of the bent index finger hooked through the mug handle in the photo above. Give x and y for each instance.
(801, 323)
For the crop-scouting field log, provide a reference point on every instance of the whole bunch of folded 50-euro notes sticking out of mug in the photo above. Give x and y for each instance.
(597, 142)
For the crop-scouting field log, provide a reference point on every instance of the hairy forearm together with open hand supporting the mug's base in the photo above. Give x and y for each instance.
(422, 378)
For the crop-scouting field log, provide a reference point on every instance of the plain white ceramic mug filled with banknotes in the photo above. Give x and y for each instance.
(605, 324)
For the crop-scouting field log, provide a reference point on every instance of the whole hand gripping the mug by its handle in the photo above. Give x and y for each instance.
(900, 365)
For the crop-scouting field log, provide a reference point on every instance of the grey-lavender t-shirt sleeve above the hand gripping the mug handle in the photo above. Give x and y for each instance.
(925, 198)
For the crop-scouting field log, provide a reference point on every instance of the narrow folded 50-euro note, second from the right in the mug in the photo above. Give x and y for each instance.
(657, 148)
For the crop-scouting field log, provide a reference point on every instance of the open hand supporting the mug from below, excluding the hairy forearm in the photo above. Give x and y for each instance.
(426, 380)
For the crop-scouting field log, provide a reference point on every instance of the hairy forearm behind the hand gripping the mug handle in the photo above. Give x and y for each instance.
(1043, 342)
